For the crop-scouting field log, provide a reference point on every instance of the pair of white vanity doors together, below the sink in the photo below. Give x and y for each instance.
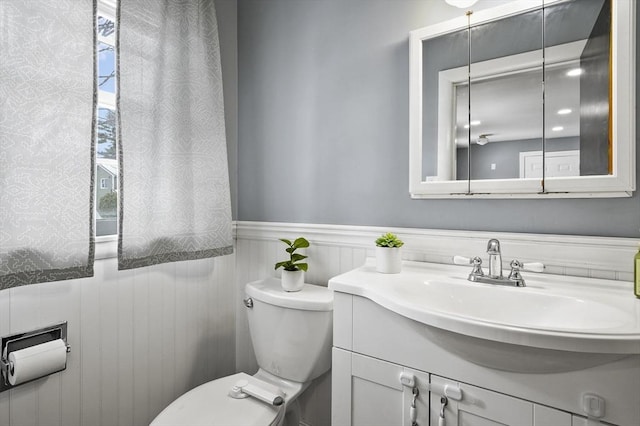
(379, 398)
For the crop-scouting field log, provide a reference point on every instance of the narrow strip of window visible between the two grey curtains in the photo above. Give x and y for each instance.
(106, 148)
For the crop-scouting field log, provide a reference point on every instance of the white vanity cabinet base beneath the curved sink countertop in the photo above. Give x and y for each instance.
(375, 348)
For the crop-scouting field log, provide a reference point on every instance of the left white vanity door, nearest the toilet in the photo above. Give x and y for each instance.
(368, 392)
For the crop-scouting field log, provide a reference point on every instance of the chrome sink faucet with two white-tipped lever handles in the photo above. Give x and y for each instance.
(495, 267)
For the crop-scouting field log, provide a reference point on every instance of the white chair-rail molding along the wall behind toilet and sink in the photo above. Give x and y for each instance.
(599, 257)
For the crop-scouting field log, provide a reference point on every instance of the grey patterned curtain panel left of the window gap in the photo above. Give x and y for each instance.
(47, 111)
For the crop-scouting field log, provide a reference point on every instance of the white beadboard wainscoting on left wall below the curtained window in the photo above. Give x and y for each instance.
(139, 339)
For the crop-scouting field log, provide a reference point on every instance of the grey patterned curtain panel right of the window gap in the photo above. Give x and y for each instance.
(174, 181)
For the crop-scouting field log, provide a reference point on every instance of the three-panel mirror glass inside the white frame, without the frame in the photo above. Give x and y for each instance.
(525, 96)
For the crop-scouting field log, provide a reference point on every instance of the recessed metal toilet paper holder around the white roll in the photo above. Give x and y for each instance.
(24, 340)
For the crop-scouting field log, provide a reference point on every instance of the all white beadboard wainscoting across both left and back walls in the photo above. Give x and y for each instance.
(142, 337)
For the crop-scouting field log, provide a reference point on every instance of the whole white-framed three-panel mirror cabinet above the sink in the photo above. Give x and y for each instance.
(530, 99)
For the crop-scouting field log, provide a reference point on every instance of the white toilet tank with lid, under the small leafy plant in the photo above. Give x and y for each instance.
(291, 331)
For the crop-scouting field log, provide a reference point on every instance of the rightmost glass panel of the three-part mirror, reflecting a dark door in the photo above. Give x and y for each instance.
(587, 79)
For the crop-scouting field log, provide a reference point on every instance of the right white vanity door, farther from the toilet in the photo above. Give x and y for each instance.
(482, 407)
